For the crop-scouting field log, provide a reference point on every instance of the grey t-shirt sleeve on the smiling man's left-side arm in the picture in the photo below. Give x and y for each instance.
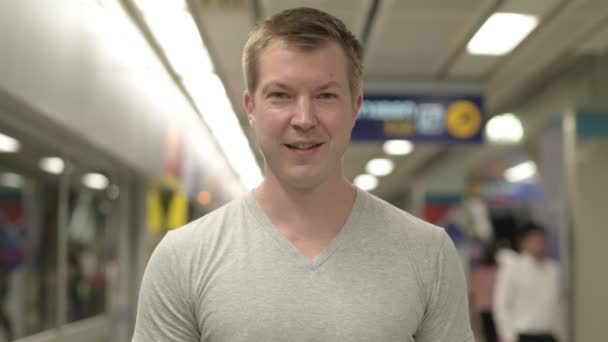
(164, 312)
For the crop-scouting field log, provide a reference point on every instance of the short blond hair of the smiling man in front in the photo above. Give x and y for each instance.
(308, 29)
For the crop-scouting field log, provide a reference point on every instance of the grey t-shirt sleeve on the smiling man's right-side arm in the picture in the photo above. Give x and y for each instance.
(446, 315)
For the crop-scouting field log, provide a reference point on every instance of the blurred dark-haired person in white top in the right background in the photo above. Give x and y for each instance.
(528, 293)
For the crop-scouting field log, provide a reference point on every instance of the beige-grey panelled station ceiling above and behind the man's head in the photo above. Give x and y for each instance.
(420, 46)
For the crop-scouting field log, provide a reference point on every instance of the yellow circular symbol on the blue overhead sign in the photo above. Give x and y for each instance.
(463, 119)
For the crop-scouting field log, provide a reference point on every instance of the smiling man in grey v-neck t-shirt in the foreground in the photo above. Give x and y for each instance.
(305, 256)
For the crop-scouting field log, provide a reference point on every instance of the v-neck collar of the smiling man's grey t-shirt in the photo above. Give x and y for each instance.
(345, 234)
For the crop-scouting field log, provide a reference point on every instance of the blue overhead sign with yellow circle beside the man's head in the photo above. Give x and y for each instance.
(432, 118)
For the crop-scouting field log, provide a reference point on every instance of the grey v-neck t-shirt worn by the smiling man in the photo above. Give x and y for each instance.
(232, 276)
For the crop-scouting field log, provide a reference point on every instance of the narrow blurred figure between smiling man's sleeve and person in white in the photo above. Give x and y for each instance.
(482, 282)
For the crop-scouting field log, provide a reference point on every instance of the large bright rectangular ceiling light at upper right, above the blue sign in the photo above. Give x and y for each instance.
(501, 33)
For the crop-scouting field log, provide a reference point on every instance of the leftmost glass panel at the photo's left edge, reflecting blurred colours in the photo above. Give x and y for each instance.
(28, 248)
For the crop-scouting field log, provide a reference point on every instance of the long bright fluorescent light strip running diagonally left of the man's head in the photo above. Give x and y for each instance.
(175, 31)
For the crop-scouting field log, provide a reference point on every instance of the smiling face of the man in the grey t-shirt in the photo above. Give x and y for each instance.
(302, 112)
